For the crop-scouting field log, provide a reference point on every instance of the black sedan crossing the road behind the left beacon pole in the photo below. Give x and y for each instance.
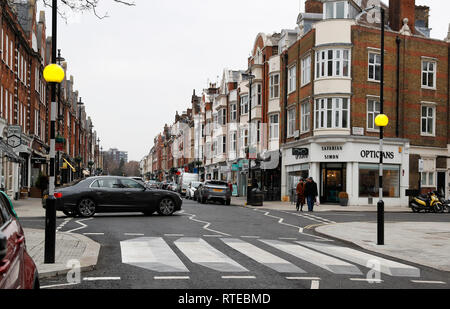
(114, 194)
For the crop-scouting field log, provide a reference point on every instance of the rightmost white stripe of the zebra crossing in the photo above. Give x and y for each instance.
(367, 260)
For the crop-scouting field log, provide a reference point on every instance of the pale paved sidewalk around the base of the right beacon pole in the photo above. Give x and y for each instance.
(423, 243)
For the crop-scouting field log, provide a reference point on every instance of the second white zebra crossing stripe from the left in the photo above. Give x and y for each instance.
(200, 252)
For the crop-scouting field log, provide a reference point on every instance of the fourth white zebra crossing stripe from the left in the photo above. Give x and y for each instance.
(324, 261)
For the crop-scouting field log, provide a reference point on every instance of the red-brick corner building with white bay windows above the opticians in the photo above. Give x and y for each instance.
(329, 130)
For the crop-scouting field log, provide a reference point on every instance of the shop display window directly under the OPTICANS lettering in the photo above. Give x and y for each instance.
(369, 180)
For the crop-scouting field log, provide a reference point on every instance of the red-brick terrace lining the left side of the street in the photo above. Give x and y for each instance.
(25, 102)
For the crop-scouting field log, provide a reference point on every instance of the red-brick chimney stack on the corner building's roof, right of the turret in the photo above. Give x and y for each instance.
(399, 10)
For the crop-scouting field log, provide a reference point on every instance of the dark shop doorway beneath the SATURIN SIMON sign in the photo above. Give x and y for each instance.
(333, 182)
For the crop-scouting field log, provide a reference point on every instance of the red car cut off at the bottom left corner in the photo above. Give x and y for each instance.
(17, 269)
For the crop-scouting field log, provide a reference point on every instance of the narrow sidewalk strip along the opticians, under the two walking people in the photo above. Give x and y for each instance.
(278, 205)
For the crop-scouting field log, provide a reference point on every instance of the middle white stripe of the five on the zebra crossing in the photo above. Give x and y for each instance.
(268, 259)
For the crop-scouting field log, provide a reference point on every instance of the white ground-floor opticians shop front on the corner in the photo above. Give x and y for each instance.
(350, 165)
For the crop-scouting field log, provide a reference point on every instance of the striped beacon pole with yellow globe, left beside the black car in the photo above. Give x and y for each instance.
(53, 74)
